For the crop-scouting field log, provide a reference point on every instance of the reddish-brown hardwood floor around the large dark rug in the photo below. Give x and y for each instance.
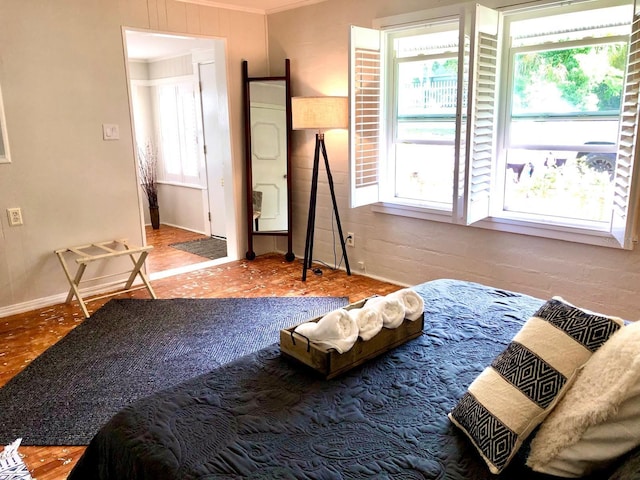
(25, 336)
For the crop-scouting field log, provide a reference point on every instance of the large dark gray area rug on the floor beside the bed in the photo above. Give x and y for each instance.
(132, 348)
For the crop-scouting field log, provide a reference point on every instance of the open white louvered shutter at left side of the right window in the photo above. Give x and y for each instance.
(481, 113)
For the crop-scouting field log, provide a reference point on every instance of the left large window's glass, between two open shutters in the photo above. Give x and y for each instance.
(425, 74)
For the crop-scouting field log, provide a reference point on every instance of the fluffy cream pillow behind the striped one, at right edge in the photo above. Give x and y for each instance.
(598, 420)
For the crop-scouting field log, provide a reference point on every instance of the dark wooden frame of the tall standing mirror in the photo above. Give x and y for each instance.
(251, 232)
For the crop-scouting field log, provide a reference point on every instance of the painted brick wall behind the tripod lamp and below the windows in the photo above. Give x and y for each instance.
(411, 251)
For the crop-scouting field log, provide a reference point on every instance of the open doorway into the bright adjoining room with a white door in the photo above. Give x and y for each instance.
(177, 86)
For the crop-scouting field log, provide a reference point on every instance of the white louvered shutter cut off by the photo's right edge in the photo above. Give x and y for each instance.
(626, 189)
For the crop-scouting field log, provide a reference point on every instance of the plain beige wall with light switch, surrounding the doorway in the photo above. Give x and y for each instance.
(62, 71)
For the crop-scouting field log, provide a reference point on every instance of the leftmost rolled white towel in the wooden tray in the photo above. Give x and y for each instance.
(337, 329)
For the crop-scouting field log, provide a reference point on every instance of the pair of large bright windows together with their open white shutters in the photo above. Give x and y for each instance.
(520, 121)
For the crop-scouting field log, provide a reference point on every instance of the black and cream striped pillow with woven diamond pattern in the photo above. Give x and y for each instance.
(517, 391)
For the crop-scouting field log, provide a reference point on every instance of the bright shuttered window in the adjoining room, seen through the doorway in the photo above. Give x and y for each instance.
(178, 153)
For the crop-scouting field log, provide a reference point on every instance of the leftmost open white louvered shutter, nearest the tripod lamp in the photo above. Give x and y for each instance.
(365, 97)
